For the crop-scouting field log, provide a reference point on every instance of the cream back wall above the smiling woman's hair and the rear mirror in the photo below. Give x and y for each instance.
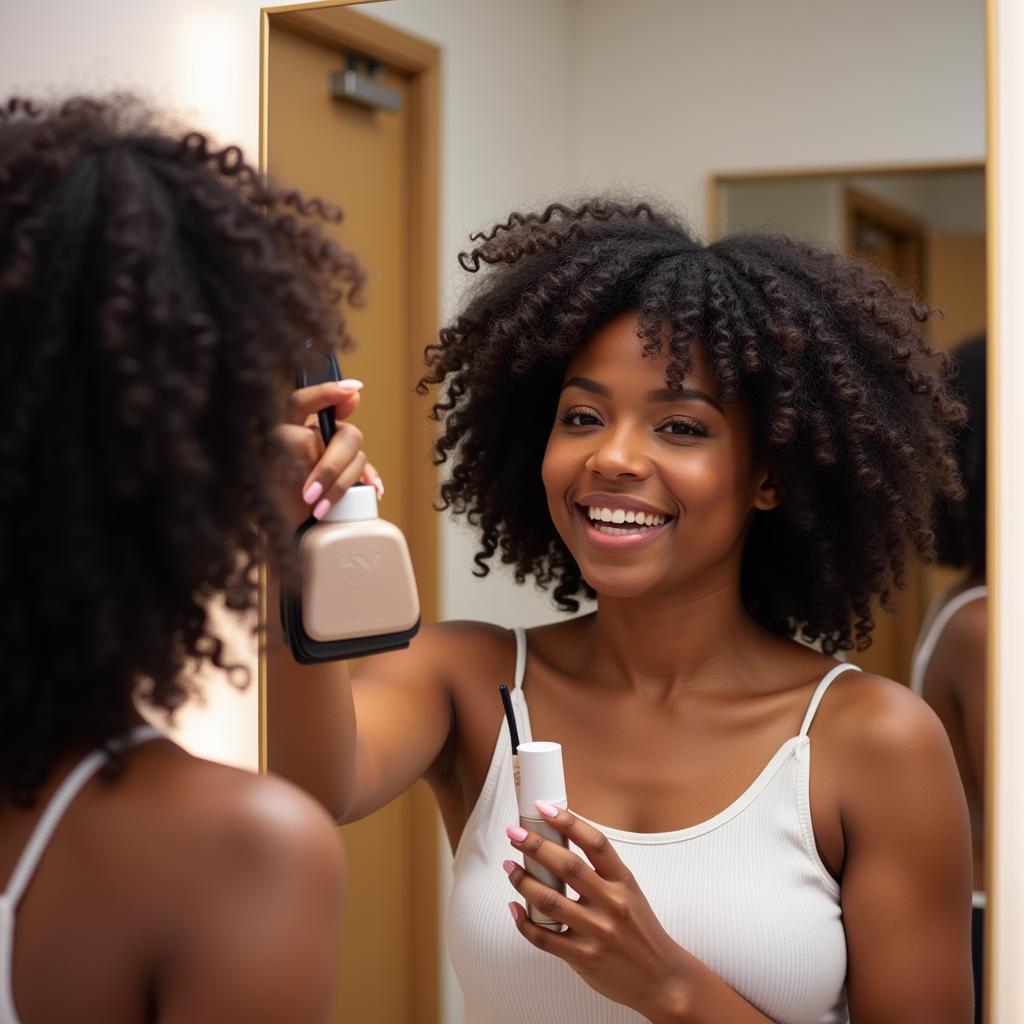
(671, 92)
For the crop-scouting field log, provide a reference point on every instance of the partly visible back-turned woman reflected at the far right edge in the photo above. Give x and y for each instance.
(949, 668)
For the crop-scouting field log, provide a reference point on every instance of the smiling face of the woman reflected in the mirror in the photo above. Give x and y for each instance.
(651, 490)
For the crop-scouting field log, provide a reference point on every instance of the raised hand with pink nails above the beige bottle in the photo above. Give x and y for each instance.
(322, 475)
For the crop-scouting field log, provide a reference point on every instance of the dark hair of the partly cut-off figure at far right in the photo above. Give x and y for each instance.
(960, 527)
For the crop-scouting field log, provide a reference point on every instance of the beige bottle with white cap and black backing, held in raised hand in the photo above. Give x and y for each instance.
(358, 593)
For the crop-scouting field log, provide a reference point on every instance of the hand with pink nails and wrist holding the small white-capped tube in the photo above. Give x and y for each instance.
(614, 943)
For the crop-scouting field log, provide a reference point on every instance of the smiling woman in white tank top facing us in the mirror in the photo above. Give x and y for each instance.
(732, 447)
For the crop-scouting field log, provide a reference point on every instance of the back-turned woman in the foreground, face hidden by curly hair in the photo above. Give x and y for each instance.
(154, 296)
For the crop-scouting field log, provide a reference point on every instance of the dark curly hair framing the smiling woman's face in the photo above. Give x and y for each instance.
(845, 395)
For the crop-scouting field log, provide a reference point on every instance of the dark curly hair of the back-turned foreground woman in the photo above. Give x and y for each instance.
(155, 294)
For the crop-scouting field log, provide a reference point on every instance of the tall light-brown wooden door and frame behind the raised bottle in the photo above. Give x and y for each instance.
(371, 163)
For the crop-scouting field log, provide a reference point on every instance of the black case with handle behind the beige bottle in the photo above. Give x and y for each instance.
(319, 370)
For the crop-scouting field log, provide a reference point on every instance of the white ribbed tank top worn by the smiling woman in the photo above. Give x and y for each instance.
(745, 892)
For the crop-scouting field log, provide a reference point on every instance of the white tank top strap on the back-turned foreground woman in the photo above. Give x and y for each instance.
(33, 852)
